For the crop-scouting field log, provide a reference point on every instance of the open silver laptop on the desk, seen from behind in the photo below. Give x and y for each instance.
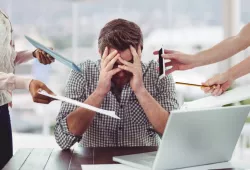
(194, 138)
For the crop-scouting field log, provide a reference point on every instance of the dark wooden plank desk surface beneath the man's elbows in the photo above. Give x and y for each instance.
(56, 159)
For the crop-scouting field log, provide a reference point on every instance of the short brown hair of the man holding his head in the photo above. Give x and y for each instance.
(119, 34)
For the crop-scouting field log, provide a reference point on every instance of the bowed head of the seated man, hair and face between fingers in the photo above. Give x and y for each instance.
(119, 34)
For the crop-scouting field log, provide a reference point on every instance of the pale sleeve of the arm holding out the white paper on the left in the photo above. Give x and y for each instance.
(11, 82)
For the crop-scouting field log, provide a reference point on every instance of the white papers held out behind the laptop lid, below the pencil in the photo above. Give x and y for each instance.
(232, 96)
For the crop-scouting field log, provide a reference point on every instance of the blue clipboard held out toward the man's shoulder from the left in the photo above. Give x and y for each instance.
(55, 55)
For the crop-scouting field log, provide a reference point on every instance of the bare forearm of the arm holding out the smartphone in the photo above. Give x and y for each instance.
(226, 48)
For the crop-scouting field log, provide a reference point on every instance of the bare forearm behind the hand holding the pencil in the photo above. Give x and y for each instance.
(240, 69)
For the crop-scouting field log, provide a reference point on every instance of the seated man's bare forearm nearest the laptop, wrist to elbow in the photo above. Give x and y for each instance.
(156, 114)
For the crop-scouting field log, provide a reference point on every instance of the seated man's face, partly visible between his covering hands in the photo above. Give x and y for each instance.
(122, 77)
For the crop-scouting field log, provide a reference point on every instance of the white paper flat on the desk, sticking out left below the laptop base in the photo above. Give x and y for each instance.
(107, 167)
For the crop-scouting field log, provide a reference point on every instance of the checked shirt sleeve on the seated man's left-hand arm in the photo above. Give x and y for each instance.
(75, 89)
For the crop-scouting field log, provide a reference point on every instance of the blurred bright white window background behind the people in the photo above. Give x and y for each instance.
(71, 27)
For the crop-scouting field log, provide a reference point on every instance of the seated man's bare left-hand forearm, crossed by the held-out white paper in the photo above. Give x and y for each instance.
(79, 120)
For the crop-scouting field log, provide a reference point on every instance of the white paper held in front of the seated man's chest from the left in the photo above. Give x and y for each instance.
(65, 99)
